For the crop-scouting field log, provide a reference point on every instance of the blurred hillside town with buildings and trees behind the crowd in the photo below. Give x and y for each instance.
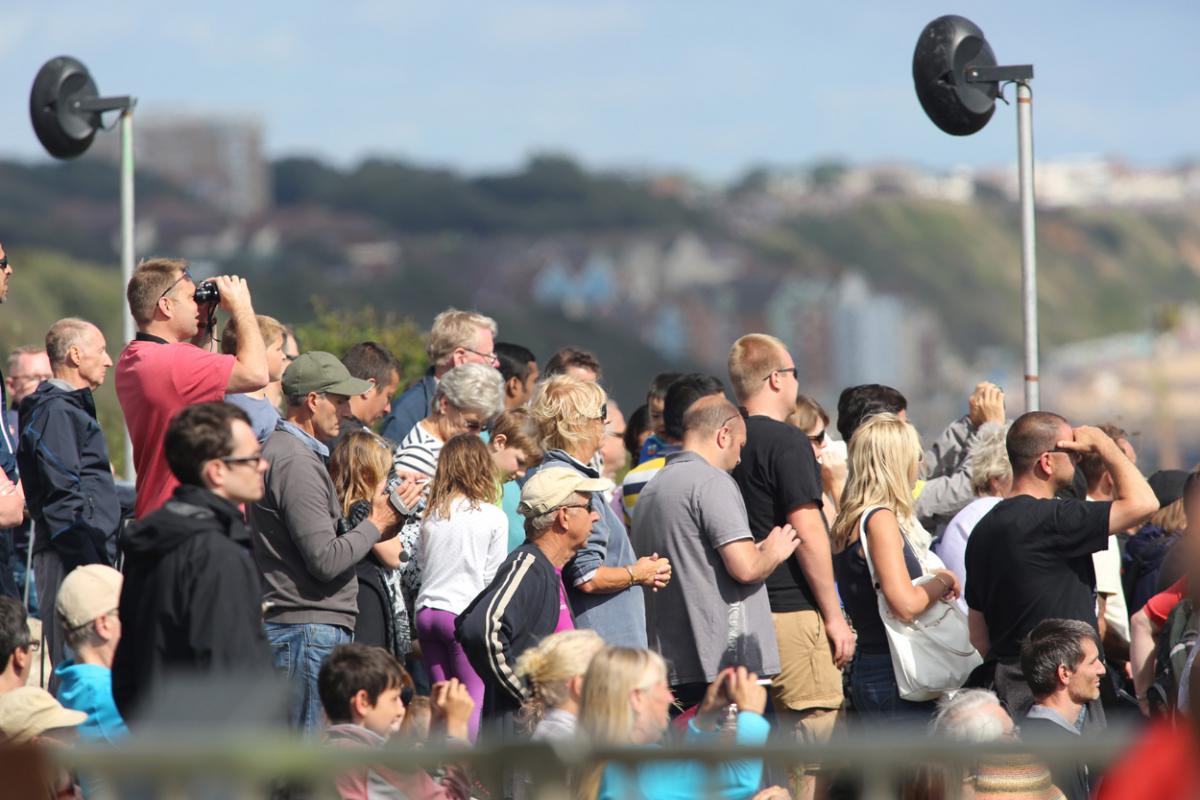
(892, 270)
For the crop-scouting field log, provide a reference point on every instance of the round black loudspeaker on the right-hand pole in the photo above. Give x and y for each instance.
(946, 49)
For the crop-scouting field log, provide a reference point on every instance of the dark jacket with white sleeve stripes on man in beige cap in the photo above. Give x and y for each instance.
(514, 613)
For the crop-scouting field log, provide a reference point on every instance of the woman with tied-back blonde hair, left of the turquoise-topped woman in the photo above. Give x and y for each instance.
(555, 673)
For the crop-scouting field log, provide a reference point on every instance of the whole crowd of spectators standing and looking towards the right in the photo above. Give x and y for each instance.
(495, 554)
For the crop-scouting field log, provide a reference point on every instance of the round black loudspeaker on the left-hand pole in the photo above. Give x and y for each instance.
(63, 128)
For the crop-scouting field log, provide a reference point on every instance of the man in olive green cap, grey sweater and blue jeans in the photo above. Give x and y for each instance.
(310, 590)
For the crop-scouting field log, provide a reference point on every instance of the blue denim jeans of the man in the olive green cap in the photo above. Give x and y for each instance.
(298, 652)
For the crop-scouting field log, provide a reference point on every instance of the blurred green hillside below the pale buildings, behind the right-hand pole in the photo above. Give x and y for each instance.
(1100, 270)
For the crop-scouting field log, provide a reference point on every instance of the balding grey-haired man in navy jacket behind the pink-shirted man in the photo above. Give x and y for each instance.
(65, 467)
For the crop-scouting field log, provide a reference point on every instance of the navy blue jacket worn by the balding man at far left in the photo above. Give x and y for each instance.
(67, 476)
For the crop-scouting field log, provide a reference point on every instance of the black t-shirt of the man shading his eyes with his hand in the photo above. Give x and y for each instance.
(1030, 561)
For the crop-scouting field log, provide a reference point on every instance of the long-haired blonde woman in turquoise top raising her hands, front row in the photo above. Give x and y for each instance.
(627, 702)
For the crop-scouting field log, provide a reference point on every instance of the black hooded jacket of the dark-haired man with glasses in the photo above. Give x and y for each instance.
(191, 601)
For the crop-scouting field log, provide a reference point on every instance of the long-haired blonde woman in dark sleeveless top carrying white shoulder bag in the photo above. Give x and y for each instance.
(885, 459)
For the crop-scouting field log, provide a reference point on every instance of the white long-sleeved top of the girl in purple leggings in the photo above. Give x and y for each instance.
(460, 556)
